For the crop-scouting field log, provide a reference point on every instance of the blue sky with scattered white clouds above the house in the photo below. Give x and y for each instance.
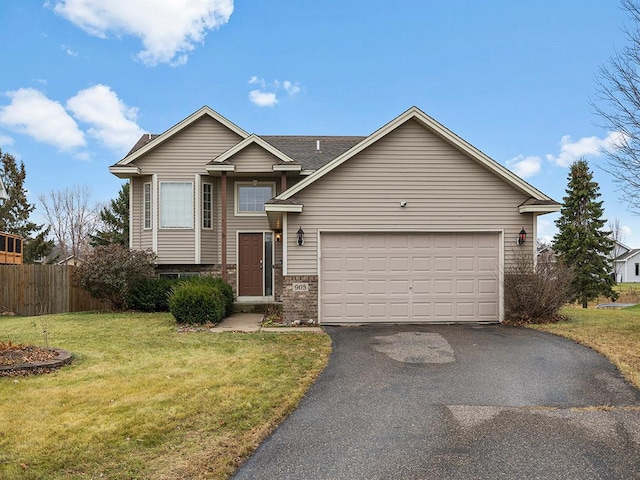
(82, 79)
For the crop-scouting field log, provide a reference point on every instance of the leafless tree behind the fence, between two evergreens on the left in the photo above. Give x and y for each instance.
(72, 218)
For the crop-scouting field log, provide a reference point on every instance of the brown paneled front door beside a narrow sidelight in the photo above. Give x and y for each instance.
(250, 273)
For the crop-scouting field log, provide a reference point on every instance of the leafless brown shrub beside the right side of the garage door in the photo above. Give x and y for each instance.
(534, 293)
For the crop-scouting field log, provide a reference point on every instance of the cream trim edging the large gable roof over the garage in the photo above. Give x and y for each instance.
(543, 202)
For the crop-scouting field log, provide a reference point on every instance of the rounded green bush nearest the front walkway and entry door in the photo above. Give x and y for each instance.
(196, 301)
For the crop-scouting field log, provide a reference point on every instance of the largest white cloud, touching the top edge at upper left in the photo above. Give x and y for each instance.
(168, 29)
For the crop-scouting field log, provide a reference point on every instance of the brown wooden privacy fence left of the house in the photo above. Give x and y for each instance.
(43, 289)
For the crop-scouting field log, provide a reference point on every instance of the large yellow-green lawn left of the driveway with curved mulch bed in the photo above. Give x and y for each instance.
(141, 400)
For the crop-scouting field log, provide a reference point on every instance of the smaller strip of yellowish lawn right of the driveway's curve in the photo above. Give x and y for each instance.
(614, 333)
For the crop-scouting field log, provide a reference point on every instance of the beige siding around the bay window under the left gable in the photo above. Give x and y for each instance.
(180, 159)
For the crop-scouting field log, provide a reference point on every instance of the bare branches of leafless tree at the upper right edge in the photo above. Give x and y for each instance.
(618, 104)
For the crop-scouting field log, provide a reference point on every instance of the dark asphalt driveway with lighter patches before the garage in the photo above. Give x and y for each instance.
(457, 402)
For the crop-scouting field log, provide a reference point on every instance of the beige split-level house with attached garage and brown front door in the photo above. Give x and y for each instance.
(409, 224)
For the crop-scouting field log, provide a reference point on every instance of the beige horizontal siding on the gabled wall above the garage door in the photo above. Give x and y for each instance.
(445, 191)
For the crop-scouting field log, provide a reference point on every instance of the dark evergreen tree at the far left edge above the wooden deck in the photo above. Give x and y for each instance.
(15, 211)
